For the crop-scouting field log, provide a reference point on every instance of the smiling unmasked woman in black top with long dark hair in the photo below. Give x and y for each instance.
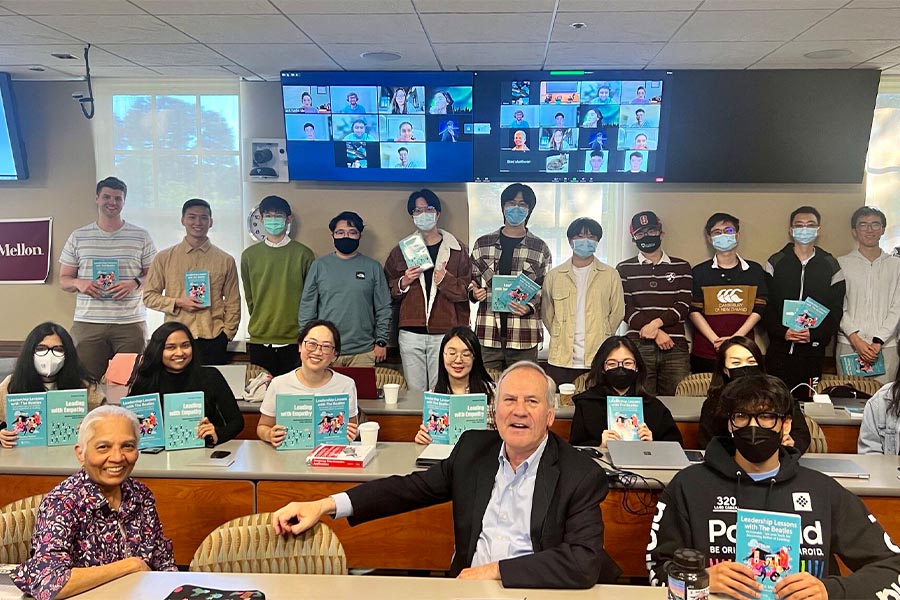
(168, 367)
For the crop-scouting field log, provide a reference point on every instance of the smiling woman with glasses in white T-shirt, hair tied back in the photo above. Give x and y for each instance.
(320, 345)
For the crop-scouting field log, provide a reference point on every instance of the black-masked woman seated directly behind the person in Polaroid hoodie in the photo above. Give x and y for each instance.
(738, 357)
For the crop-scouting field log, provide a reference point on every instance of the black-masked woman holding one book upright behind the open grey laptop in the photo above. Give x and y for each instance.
(618, 370)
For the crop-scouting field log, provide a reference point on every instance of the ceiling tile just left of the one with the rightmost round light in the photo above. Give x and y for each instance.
(711, 55)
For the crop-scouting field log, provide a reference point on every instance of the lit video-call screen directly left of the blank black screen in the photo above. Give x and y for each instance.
(585, 126)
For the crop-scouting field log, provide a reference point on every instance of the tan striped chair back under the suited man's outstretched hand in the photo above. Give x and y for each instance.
(249, 545)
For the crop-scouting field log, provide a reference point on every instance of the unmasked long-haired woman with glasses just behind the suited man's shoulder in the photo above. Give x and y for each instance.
(461, 371)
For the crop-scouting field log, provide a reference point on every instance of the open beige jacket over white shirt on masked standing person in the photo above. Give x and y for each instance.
(604, 310)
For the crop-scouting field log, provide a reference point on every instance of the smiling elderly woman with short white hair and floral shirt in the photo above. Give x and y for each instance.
(99, 524)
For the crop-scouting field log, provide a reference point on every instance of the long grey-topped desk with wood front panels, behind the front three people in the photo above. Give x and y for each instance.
(193, 499)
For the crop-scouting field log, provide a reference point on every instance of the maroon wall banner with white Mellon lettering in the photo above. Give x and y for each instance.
(25, 250)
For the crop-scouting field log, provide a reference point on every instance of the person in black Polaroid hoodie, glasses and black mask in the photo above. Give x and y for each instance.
(752, 470)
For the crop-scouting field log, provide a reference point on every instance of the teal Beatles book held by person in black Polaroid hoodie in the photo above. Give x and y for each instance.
(768, 543)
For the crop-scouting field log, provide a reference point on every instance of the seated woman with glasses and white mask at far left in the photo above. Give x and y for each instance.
(47, 361)
